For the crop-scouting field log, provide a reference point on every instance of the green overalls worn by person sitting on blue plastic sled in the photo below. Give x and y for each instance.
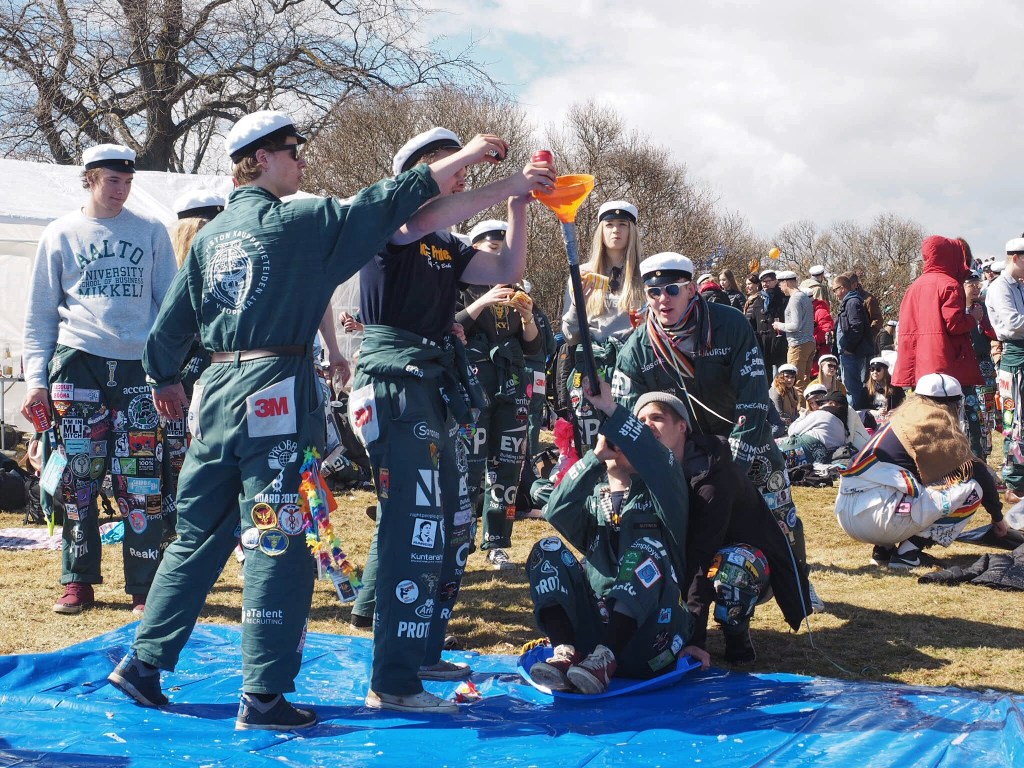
(635, 556)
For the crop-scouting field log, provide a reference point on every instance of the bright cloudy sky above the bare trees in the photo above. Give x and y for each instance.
(790, 110)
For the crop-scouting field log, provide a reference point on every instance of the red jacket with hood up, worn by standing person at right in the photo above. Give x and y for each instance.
(934, 326)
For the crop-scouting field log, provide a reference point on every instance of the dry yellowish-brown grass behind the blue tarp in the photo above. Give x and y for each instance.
(880, 625)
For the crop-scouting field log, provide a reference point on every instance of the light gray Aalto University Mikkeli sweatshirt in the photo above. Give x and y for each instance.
(97, 286)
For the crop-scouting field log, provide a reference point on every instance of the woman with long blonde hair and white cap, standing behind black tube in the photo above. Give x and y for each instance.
(614, 290)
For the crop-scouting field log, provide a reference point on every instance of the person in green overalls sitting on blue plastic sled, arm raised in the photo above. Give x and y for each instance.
(624, 504)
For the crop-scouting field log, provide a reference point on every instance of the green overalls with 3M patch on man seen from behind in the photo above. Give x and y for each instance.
(260, 277)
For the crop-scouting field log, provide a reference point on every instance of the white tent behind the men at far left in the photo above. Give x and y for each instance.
(32, 195)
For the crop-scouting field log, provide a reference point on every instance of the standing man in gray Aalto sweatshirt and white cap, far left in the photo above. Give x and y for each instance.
(100, 276)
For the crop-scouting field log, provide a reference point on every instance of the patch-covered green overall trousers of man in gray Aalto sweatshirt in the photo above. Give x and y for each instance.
(106, 421)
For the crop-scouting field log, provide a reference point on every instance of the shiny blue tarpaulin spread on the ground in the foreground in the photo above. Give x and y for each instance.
(58, 710)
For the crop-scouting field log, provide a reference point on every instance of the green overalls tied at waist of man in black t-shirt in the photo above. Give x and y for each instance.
(410, 398)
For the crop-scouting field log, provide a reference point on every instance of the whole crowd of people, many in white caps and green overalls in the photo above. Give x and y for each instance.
(194, 387)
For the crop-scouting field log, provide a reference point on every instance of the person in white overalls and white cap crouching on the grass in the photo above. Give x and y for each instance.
(917, 483)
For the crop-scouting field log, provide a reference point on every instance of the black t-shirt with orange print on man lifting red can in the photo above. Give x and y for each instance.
(415, 287)
